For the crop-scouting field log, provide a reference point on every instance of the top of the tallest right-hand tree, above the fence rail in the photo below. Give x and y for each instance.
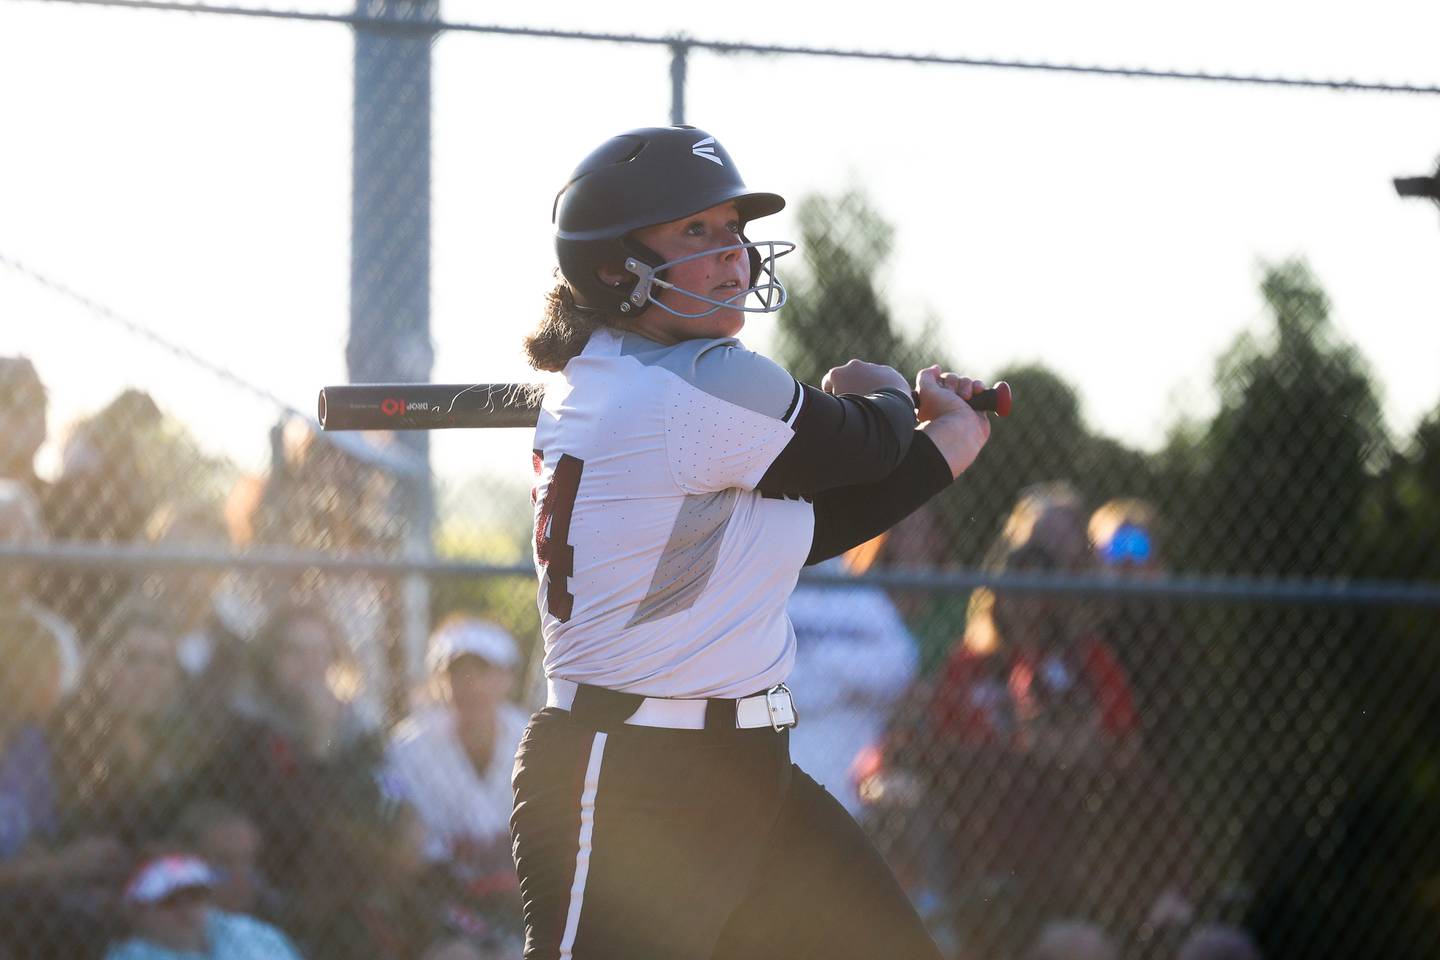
(1288, 461)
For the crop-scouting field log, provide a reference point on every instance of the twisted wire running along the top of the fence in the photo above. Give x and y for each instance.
(726, 47)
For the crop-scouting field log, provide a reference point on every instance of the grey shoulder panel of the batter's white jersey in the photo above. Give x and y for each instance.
(724, 369)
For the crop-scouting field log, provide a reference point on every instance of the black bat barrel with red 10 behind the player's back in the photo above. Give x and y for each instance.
(428, 407)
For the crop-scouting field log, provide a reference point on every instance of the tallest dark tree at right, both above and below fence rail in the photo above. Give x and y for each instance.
(1282, 483)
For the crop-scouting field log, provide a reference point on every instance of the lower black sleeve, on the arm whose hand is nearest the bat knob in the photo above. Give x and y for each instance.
(850, 516)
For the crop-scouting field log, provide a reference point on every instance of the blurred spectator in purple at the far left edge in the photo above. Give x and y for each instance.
(42, 912)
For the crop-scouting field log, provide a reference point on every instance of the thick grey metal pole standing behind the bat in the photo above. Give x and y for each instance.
(391, 273)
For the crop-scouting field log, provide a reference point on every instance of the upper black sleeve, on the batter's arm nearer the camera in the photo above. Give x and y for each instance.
(842, 441)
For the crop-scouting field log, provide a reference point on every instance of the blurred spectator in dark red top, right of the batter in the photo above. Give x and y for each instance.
(1030, 738)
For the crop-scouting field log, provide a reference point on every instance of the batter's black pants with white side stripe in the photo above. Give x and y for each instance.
(646, 844)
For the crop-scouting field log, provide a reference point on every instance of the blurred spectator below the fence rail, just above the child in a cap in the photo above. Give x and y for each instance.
(123, 751)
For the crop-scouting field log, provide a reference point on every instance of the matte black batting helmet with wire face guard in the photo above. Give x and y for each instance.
(654, 176)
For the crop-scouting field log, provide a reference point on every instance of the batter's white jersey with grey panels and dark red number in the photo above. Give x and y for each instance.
(663, 571)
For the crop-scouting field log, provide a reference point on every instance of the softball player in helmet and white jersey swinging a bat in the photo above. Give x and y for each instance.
(682, 484)
